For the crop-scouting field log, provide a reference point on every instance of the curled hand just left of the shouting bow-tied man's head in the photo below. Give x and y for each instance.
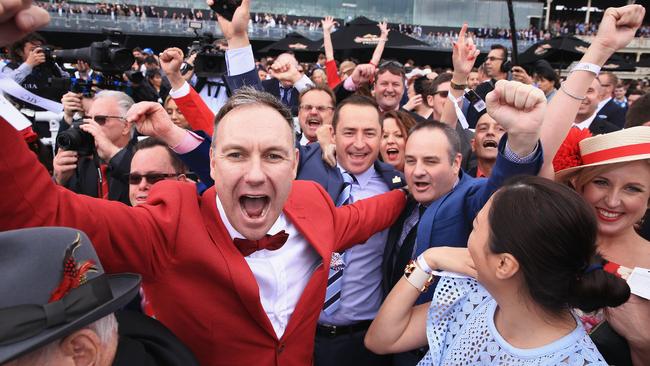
(151, 119)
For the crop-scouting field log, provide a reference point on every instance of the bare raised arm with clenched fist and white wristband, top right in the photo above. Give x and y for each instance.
(616, 30)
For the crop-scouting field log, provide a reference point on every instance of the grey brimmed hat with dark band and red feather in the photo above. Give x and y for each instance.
(53, 284)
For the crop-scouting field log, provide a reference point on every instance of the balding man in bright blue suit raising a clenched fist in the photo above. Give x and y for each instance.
(445, 200)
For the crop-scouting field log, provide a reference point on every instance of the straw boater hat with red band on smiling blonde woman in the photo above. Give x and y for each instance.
(629, 144)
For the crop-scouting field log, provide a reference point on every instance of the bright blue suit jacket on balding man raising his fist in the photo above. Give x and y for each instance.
(448, 220)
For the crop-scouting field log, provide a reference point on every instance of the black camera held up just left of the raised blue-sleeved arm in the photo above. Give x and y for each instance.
(210, 60)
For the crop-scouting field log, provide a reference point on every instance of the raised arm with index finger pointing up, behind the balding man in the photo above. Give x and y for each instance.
(463, 57)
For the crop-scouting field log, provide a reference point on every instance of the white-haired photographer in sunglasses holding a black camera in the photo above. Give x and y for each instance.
(103, 175)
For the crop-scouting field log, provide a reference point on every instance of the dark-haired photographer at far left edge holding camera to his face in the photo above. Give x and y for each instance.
(31, 67)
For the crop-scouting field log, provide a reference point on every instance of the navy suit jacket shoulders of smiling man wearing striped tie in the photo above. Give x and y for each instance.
(312, 167)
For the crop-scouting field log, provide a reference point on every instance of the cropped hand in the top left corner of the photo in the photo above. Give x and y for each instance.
(18, 18)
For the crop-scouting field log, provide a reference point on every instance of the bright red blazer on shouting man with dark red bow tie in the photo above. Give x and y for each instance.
(198, 282)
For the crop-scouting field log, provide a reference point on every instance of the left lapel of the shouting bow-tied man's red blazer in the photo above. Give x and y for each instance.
(241, 275)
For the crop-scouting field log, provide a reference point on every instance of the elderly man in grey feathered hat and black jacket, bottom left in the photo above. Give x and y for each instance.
(62, 318)
